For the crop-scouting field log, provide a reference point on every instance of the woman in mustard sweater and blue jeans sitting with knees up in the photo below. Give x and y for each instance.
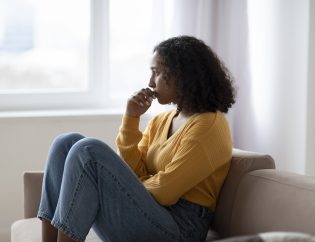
(164, 183)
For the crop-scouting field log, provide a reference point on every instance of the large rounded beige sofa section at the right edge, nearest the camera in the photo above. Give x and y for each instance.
(272, 200)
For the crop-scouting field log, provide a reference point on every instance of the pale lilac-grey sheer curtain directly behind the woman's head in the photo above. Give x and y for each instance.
(223, 25)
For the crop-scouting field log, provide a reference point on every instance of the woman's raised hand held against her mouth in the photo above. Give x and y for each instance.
(139, 103)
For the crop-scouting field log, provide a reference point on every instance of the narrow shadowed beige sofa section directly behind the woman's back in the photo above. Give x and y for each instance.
(242, 162)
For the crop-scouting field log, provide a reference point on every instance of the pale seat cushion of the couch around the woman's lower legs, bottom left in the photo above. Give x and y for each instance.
(29, 230)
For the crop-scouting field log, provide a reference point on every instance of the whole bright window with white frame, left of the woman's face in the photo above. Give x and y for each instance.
(76, 53)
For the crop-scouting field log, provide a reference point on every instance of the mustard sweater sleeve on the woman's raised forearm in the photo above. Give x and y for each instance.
(133, 145)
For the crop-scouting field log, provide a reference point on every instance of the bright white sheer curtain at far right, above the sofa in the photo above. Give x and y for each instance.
(279, 59)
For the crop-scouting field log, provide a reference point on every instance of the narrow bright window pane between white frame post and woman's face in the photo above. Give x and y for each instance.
(130, 45)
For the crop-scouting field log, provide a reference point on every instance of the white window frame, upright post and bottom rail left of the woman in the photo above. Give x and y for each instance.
(95, 95)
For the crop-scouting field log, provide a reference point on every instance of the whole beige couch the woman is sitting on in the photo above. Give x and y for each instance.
(255, 198)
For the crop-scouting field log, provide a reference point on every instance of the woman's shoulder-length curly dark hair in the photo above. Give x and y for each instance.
(203, 82)
